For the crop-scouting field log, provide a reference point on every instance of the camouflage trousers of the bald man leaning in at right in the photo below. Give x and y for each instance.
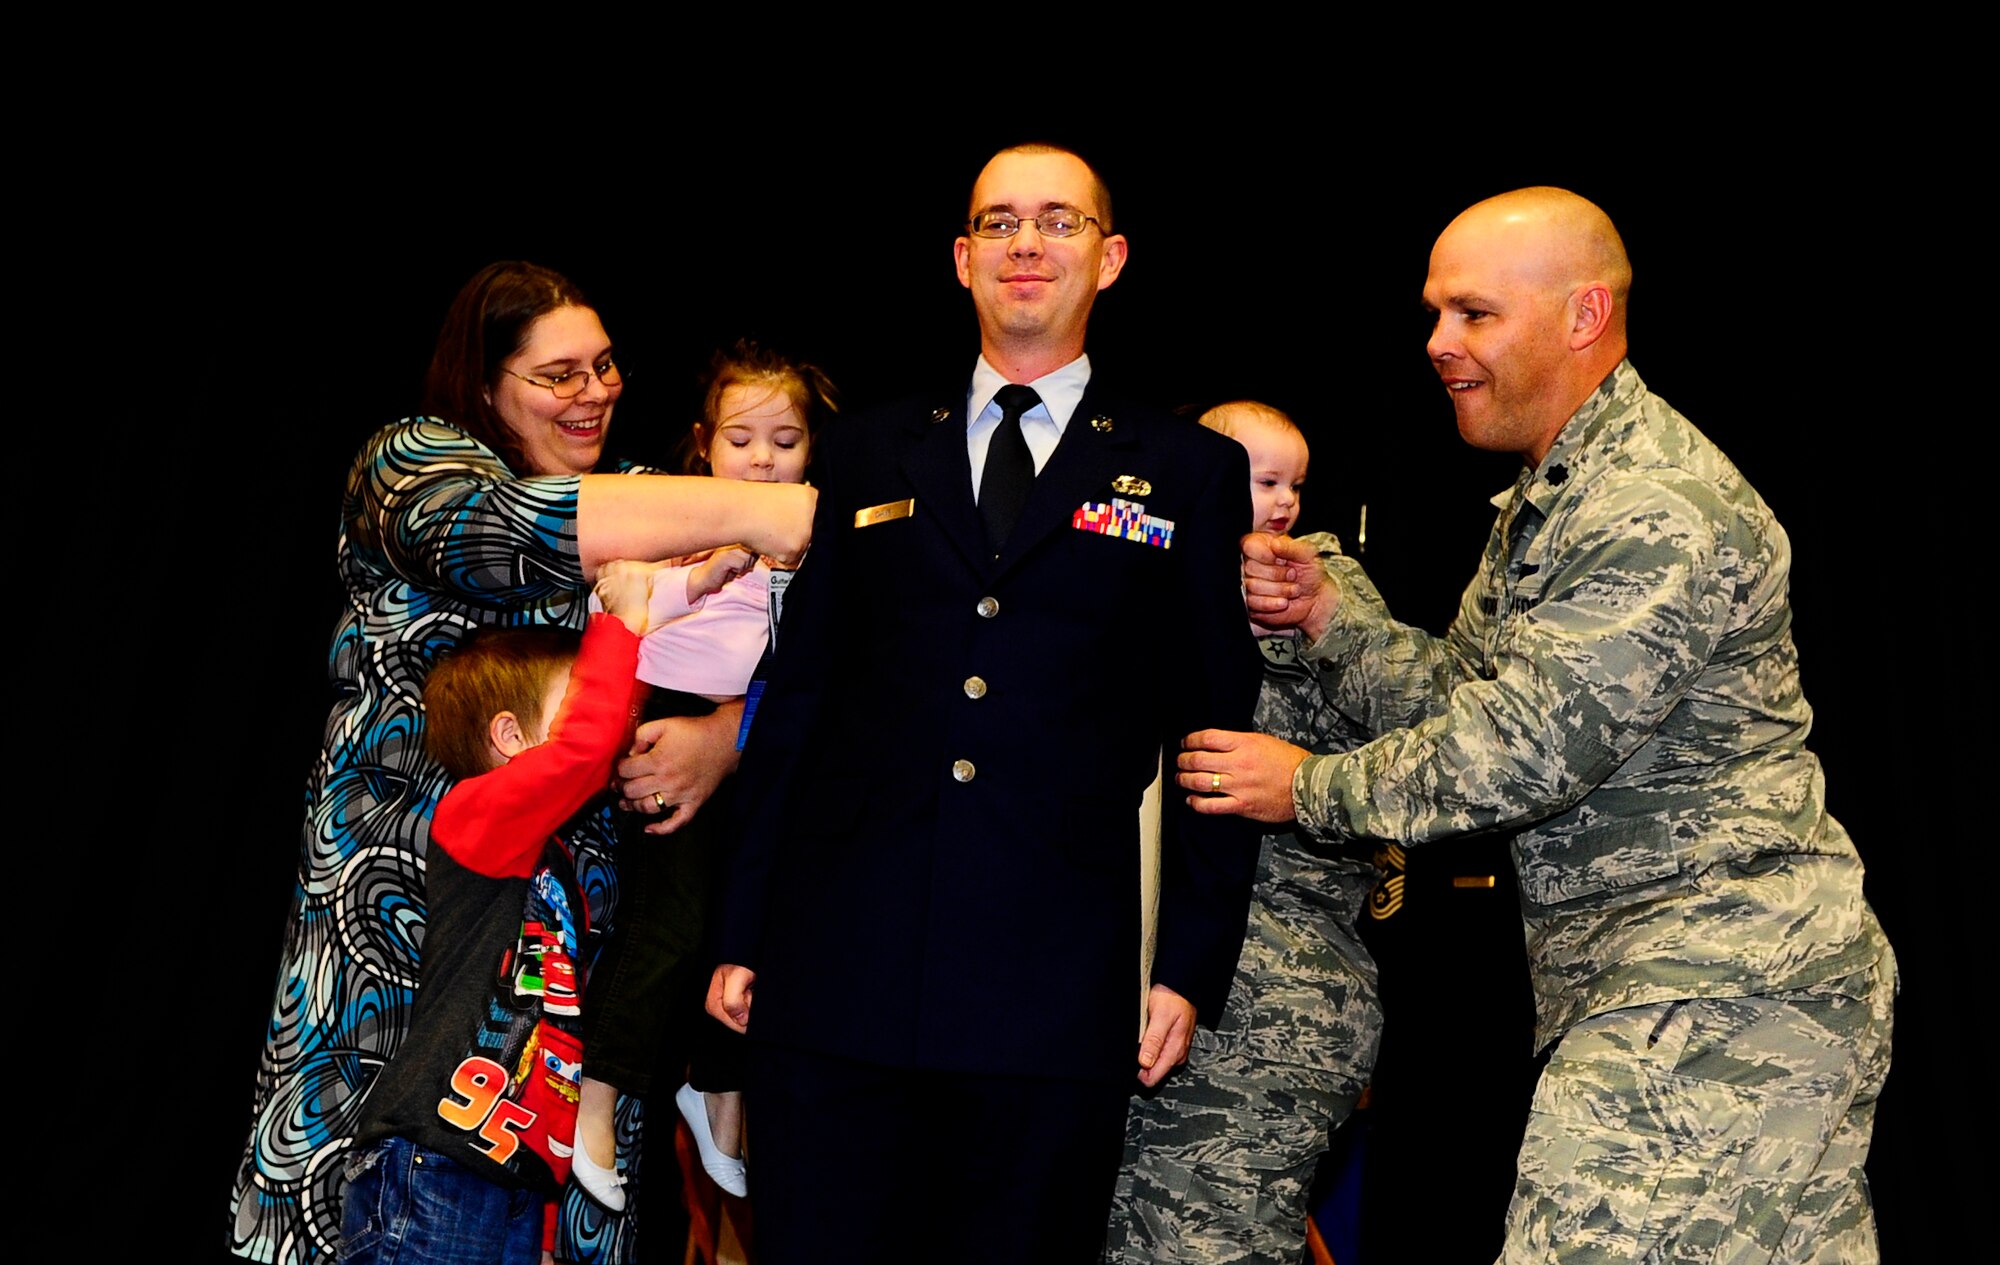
(1723, 1130)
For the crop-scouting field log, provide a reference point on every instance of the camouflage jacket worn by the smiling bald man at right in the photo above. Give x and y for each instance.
(1621, 692)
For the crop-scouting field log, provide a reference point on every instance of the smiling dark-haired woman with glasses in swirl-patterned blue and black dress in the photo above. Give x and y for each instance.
(489, 511)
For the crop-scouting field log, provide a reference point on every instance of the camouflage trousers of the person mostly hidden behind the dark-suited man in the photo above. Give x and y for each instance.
(1221, 1160)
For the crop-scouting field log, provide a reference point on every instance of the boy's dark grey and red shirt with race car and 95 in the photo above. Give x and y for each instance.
(493, 1062)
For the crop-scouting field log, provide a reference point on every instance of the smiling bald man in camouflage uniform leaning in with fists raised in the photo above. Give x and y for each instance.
(1621, 692)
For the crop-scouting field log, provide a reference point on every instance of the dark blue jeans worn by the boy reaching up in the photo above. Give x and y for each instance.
(409, 1206)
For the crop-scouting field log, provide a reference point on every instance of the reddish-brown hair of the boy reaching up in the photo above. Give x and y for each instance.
(493, 672)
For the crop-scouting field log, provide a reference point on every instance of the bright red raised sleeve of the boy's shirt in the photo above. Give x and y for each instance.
(499, 822)
